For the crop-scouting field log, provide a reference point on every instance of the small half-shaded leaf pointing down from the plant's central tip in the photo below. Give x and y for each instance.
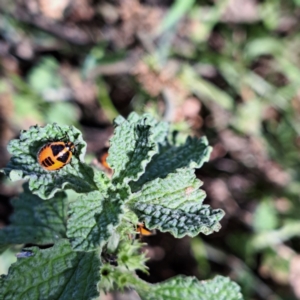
(94, 217)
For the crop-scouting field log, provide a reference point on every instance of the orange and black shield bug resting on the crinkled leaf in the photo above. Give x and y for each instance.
(55, 155)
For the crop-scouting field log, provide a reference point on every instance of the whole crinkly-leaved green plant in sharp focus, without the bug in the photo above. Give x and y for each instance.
(92, 230)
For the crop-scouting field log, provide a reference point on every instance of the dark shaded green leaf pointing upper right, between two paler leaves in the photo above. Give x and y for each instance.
(193, 153)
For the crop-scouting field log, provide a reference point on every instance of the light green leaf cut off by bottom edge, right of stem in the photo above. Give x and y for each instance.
(180, 287)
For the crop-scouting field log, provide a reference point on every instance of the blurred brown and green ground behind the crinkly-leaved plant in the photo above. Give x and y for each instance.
(225, 69)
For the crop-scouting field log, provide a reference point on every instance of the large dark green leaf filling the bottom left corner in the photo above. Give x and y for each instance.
(57, 273)
